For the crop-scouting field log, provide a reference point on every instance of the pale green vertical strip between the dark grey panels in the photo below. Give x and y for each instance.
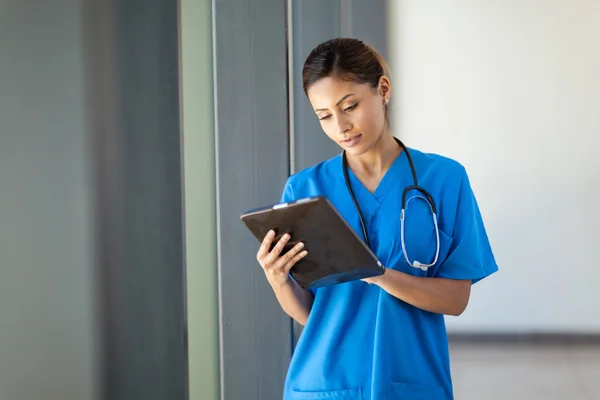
(200, 195)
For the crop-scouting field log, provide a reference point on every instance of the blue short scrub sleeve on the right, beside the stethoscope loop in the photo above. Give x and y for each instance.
(470, 256)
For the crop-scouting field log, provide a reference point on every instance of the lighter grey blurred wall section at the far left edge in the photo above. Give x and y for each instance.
(46, 262)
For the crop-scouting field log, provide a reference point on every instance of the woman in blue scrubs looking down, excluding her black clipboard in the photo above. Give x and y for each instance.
(384, 337)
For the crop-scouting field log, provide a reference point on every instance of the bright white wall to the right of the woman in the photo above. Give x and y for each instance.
(512, 90)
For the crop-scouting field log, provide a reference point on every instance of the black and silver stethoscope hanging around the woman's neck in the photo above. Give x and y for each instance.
(424, 195)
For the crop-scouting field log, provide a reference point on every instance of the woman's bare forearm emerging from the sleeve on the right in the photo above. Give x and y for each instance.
(438, 295)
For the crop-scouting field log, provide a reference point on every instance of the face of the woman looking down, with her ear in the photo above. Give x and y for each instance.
(351, 114)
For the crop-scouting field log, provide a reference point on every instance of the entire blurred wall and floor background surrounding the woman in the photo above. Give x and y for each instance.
(134, 133)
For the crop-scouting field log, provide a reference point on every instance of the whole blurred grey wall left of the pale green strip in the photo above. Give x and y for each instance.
(92, 278)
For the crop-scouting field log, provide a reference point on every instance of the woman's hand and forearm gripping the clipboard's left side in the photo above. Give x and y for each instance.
(294, 300)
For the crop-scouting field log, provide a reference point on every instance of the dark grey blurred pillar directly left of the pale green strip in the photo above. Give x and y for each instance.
(133, 72)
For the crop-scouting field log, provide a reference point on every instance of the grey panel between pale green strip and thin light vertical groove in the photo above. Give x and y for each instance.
(252, 165)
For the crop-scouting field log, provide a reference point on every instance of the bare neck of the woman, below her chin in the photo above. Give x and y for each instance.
(377, 160)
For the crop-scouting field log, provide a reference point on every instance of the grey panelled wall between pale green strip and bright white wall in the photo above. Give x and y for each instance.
(265, 129)
